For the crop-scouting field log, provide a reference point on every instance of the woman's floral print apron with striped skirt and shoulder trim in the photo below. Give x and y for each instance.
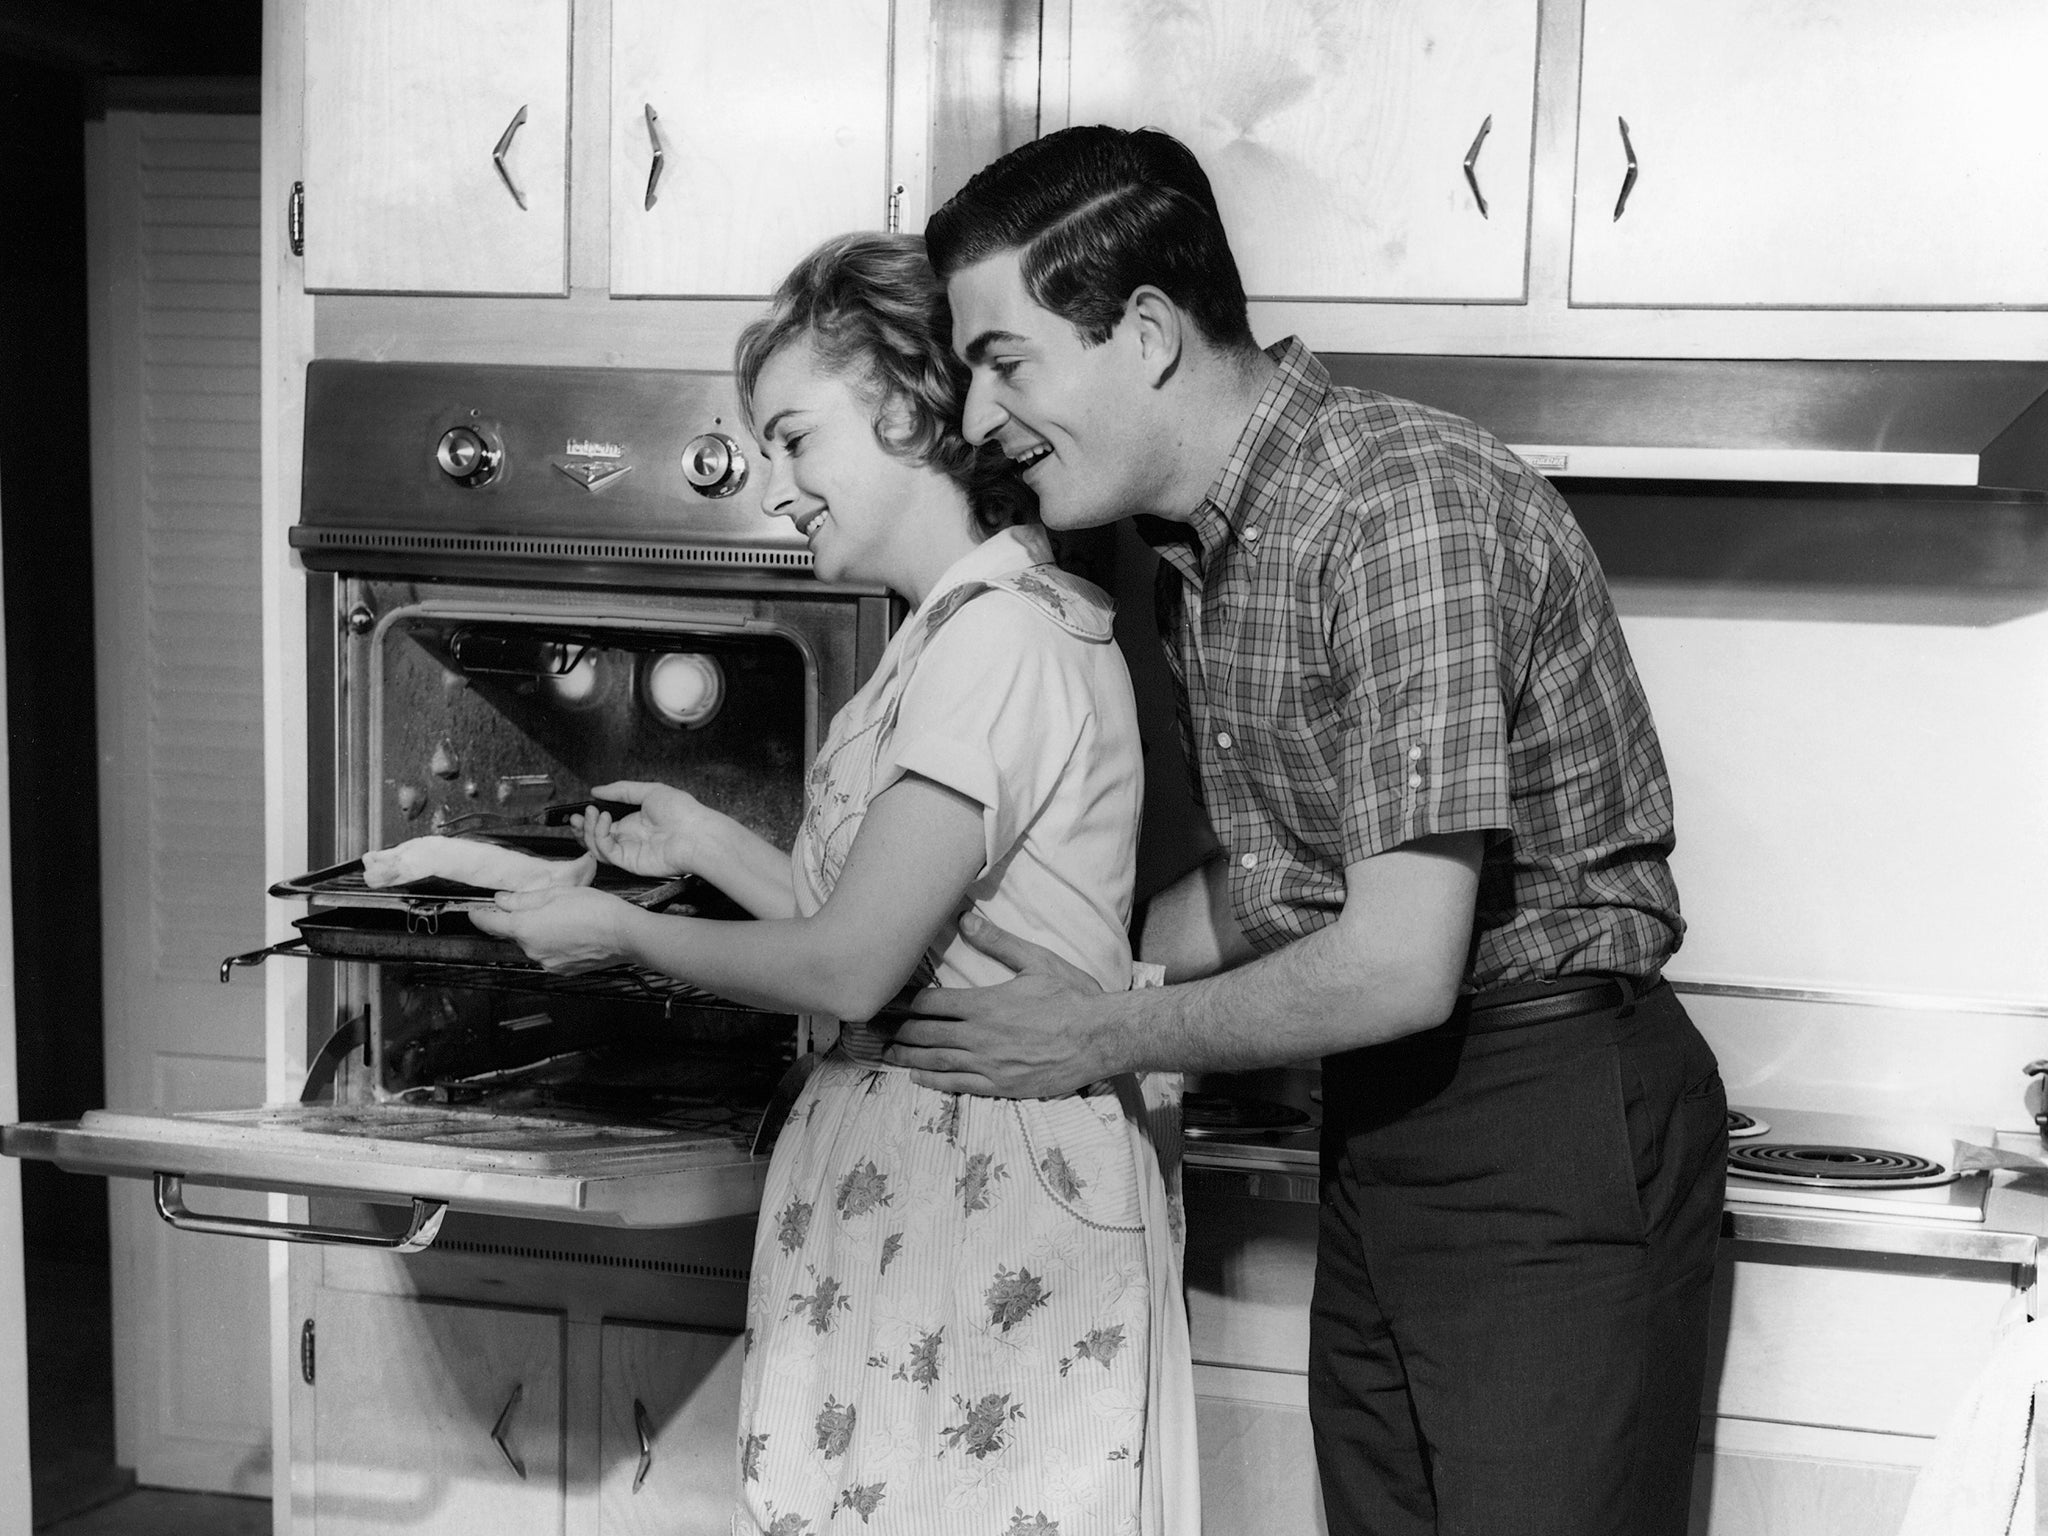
(966, 1314)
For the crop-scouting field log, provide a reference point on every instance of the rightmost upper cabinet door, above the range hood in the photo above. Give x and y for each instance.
(1838, 155)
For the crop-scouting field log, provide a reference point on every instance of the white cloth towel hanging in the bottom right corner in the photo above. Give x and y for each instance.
(1981, 1478)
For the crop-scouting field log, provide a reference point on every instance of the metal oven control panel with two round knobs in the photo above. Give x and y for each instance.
(585, 474)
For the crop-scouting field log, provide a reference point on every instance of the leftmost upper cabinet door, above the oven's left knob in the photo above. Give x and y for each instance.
(411, 108)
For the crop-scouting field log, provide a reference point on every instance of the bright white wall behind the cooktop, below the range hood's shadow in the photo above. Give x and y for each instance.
(1863, 810)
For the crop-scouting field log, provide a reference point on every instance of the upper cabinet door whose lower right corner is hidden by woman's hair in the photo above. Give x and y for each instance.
(773, 134)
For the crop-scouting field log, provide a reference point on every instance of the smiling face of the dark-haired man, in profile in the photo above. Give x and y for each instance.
(1072, 415)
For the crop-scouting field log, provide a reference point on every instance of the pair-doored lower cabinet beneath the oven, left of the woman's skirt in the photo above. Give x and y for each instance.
(519, 1381)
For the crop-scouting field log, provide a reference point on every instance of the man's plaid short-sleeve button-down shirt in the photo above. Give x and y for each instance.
(1392, 628)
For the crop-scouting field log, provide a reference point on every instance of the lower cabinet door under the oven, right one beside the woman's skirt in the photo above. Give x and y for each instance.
(671, 1426)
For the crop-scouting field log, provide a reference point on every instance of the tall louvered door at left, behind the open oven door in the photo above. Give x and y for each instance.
(179, 636)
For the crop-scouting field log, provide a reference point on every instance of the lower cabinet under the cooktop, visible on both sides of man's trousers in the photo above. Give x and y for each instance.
(1830, 1373)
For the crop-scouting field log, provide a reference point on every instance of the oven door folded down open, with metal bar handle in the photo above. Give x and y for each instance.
(435, 1158)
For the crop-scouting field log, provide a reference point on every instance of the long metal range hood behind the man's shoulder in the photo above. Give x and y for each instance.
(1897, 423)
